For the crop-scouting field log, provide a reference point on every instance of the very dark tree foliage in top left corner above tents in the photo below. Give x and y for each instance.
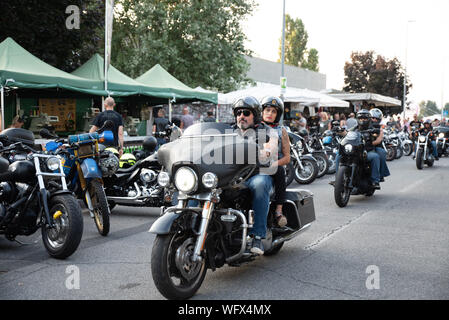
(40, 27)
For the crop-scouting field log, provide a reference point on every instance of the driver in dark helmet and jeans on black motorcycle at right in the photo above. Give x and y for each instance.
(364, 123)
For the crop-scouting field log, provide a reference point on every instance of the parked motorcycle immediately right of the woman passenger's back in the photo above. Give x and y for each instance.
(304, 165)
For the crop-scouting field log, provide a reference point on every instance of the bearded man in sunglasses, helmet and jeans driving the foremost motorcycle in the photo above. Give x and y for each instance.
(247, 116)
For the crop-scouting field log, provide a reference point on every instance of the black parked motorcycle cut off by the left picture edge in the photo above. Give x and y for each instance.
(34, 195)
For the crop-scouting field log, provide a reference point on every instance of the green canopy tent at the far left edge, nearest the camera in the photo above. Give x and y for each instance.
(20, 69)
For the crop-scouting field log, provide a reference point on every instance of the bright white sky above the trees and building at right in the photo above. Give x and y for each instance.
(338, 27)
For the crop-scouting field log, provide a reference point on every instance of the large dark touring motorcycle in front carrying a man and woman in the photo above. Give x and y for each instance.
(210, 225)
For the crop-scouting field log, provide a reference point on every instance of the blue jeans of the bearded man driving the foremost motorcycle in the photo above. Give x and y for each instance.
(260, 186)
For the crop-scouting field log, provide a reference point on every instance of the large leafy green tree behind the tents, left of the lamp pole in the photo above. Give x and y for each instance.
(200, 42)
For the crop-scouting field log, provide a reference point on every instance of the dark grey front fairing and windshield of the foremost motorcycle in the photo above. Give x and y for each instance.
(209, 147)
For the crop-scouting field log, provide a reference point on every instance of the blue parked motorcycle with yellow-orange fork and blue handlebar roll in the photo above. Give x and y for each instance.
(81, 161)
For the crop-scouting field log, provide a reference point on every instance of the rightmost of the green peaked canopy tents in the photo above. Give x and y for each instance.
(158, 77)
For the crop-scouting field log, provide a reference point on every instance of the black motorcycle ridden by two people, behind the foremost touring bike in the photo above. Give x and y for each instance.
(354, 171)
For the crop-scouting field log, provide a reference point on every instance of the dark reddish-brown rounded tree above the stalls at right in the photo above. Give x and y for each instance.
(369, 73)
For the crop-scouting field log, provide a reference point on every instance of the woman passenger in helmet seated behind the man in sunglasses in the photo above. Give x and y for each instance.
(272, 109)
